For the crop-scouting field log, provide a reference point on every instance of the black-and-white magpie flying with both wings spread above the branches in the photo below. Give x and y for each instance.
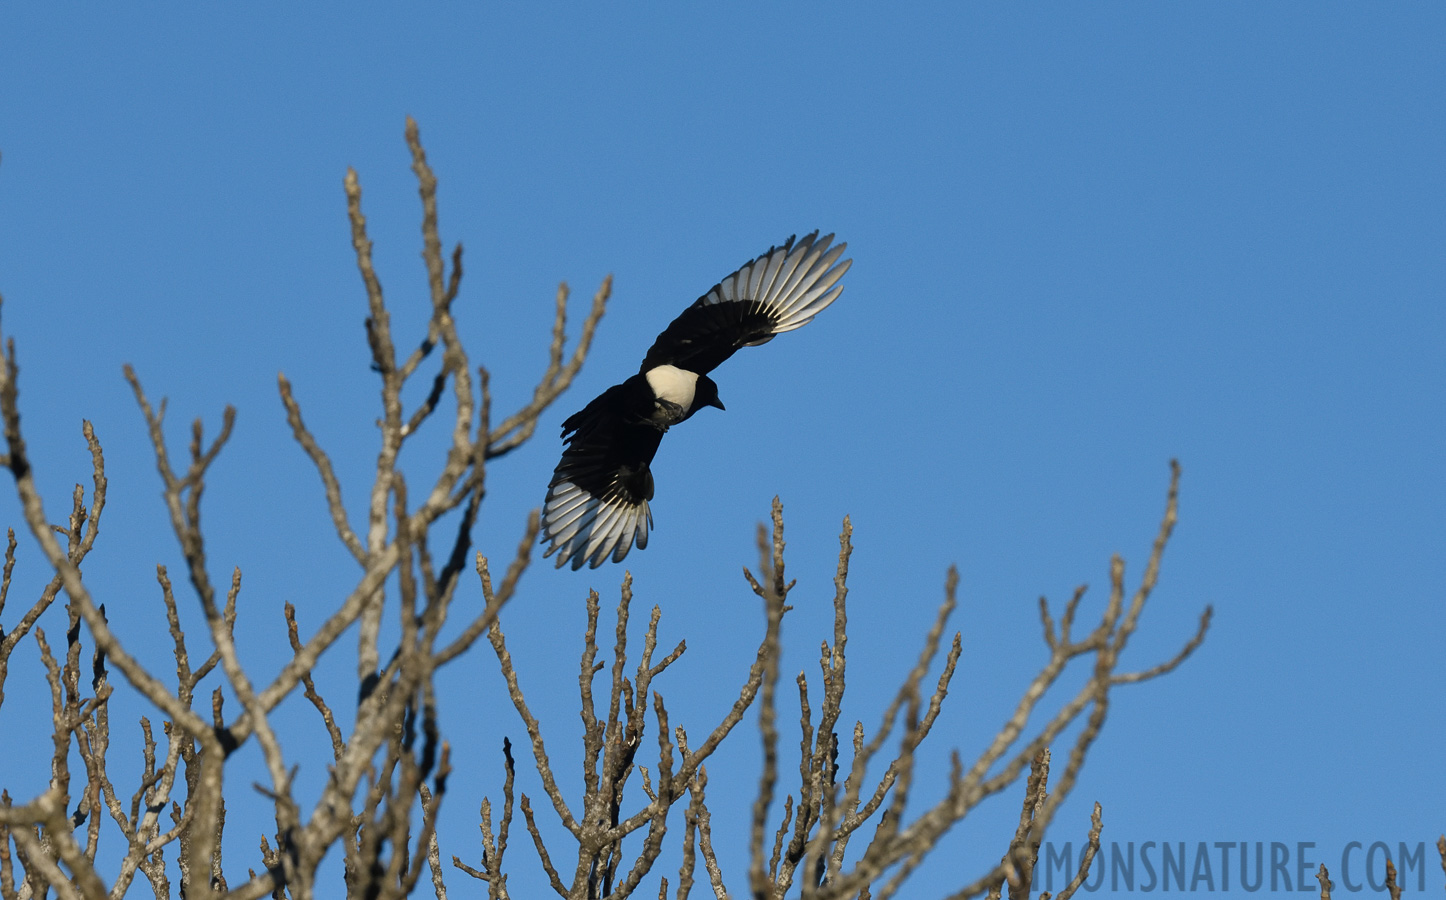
(598, 501)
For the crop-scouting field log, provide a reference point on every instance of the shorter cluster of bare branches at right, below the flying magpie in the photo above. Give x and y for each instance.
(809, 847)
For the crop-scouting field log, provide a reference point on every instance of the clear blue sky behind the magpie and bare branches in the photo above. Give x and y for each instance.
(1087, 239)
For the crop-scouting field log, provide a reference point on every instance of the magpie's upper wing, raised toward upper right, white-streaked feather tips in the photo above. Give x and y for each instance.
(780, 292)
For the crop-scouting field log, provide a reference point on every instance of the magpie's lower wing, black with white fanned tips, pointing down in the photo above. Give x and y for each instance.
(598, 501)
